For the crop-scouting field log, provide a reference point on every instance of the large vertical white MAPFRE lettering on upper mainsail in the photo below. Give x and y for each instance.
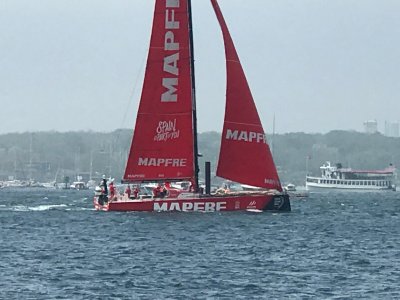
(170, 81)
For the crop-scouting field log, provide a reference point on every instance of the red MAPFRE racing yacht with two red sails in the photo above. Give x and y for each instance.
(164, 144)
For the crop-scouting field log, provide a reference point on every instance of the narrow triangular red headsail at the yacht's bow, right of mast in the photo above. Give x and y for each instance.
(245, 156)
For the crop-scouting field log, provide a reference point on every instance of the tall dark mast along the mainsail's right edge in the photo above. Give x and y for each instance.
(192, 75)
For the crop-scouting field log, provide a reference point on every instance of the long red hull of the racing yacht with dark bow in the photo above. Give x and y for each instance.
(205, 203)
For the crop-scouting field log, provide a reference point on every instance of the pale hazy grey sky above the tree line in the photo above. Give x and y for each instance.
(318, 65)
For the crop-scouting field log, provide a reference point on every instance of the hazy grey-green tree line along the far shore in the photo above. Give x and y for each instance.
(46, 156)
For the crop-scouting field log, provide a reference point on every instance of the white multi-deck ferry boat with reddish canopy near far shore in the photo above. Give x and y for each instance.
(336, 177)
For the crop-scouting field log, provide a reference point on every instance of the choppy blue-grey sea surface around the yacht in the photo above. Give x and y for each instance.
(331, 246)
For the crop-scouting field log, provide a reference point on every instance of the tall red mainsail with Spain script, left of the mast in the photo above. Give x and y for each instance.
(162, 144)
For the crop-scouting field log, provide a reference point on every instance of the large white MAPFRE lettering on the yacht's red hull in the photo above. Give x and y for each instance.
(189, 206)
